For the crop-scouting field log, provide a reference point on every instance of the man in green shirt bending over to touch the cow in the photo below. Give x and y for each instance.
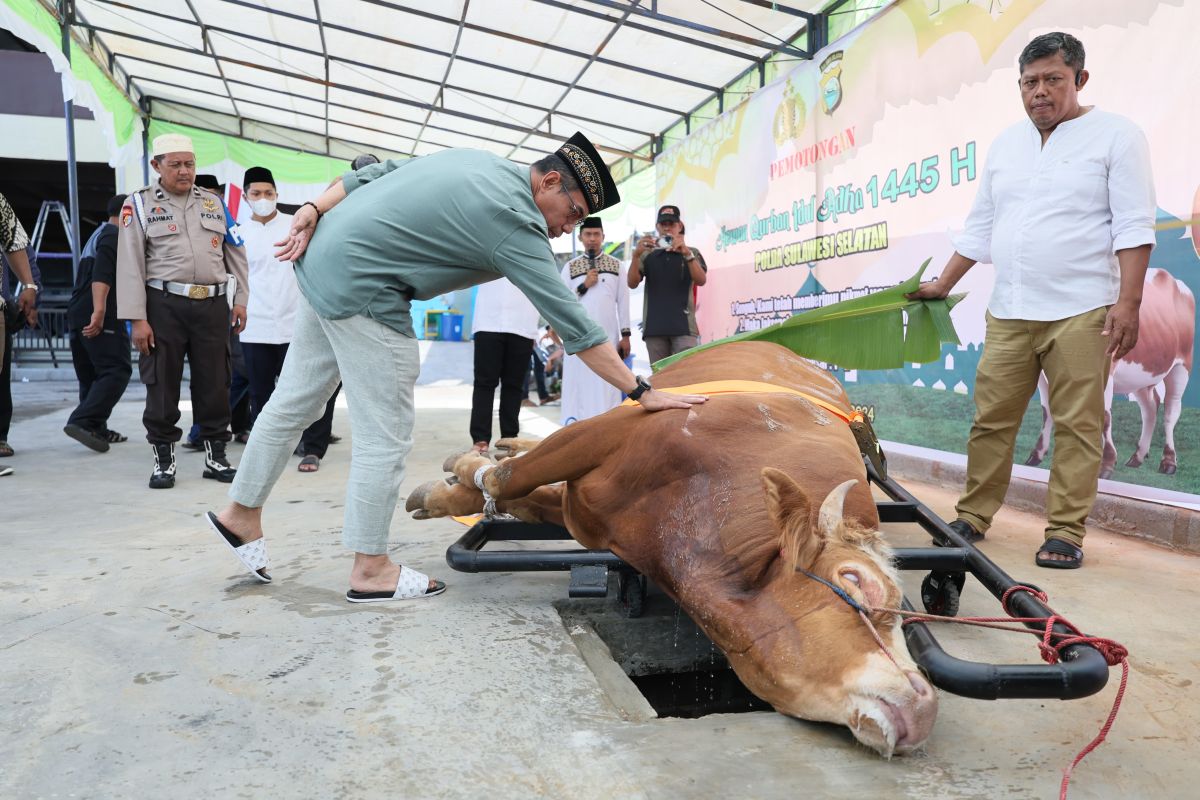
(388, 234)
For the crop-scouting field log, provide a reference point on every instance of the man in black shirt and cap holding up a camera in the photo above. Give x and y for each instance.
(671, 270)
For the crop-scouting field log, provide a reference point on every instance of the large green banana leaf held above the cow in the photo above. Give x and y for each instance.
(868, 333)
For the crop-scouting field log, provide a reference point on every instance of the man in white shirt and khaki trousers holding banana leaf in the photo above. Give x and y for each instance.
(1066, 214)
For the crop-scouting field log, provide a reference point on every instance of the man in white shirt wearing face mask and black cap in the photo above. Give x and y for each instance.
(274, 299)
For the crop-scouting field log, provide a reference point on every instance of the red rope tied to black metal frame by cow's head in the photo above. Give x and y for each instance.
(1052, 651)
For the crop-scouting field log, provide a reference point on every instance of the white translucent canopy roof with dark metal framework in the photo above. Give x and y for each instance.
(514, 77)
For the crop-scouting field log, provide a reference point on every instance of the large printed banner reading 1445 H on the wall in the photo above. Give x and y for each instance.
(847, 175)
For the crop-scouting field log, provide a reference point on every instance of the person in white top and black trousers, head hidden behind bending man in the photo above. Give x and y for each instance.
(505, 327)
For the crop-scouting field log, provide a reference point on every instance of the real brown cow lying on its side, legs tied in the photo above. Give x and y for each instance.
(718, 506)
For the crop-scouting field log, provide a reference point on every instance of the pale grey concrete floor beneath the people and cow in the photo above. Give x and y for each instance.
(140, 661)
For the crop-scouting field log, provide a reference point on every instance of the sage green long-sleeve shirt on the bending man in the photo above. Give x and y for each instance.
(423, 227)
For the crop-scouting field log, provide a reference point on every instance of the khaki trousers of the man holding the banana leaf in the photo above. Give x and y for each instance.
(1071, 352)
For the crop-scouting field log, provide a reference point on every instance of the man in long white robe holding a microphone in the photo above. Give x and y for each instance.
(601, 282)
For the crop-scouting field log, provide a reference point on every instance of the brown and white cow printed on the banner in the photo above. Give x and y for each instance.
(1162, 357)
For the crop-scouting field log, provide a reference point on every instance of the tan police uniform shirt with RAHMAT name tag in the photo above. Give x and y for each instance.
(182, 239)
